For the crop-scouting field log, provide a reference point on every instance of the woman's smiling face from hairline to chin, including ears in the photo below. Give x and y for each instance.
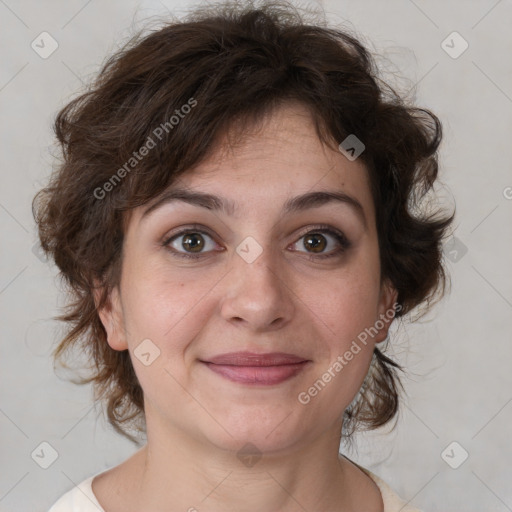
(278, 270)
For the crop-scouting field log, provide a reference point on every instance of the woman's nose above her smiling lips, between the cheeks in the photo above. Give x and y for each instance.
(258, 294)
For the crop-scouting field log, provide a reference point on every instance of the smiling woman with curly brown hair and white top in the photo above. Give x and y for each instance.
(238, 217)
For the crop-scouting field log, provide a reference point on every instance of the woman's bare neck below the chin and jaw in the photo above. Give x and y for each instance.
(177, 472)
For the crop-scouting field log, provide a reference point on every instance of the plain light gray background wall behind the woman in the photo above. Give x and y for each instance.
(458, 357)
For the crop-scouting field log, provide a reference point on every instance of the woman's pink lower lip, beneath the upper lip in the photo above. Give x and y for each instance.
(257, 375)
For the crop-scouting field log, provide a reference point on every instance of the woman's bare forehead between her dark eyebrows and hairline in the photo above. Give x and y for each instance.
(274, 161)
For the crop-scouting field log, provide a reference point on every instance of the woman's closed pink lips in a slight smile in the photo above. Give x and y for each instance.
(257, 369)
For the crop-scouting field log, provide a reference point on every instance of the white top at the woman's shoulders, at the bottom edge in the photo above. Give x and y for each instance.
(82, 499)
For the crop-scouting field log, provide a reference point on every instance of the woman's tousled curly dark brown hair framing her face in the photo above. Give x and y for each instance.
(237, 62)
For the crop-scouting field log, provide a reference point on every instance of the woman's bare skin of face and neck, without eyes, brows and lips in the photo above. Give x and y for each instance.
(196, 420)
